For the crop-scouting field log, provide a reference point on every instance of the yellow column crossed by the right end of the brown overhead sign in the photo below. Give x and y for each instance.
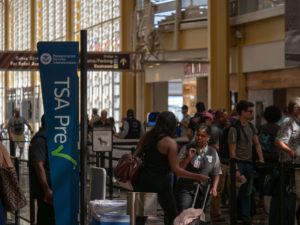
(128, 79)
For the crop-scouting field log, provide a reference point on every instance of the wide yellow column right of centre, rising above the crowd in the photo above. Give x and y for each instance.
(218, 54)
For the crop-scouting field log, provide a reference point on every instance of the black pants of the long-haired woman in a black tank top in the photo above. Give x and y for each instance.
(161, 185)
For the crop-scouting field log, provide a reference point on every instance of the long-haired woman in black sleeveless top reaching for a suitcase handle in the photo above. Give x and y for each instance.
(160, 154)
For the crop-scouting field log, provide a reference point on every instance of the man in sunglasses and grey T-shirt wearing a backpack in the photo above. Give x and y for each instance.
(241, 138)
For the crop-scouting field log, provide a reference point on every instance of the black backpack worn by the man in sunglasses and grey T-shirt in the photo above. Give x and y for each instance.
(223, 141)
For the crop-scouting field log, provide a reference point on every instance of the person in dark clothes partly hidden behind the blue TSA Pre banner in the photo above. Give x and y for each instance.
(39, 173)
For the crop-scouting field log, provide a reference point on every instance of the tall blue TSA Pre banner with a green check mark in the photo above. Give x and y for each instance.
(60, 88)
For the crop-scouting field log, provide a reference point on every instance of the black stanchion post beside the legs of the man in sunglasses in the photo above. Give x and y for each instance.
(233, 205)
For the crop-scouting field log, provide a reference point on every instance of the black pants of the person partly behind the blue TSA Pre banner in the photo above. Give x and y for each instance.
(45, 213)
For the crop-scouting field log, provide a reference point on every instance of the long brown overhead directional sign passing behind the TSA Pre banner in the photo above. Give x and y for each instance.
(98, 61)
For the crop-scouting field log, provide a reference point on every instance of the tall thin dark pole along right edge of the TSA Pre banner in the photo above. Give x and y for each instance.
(84, 127)
